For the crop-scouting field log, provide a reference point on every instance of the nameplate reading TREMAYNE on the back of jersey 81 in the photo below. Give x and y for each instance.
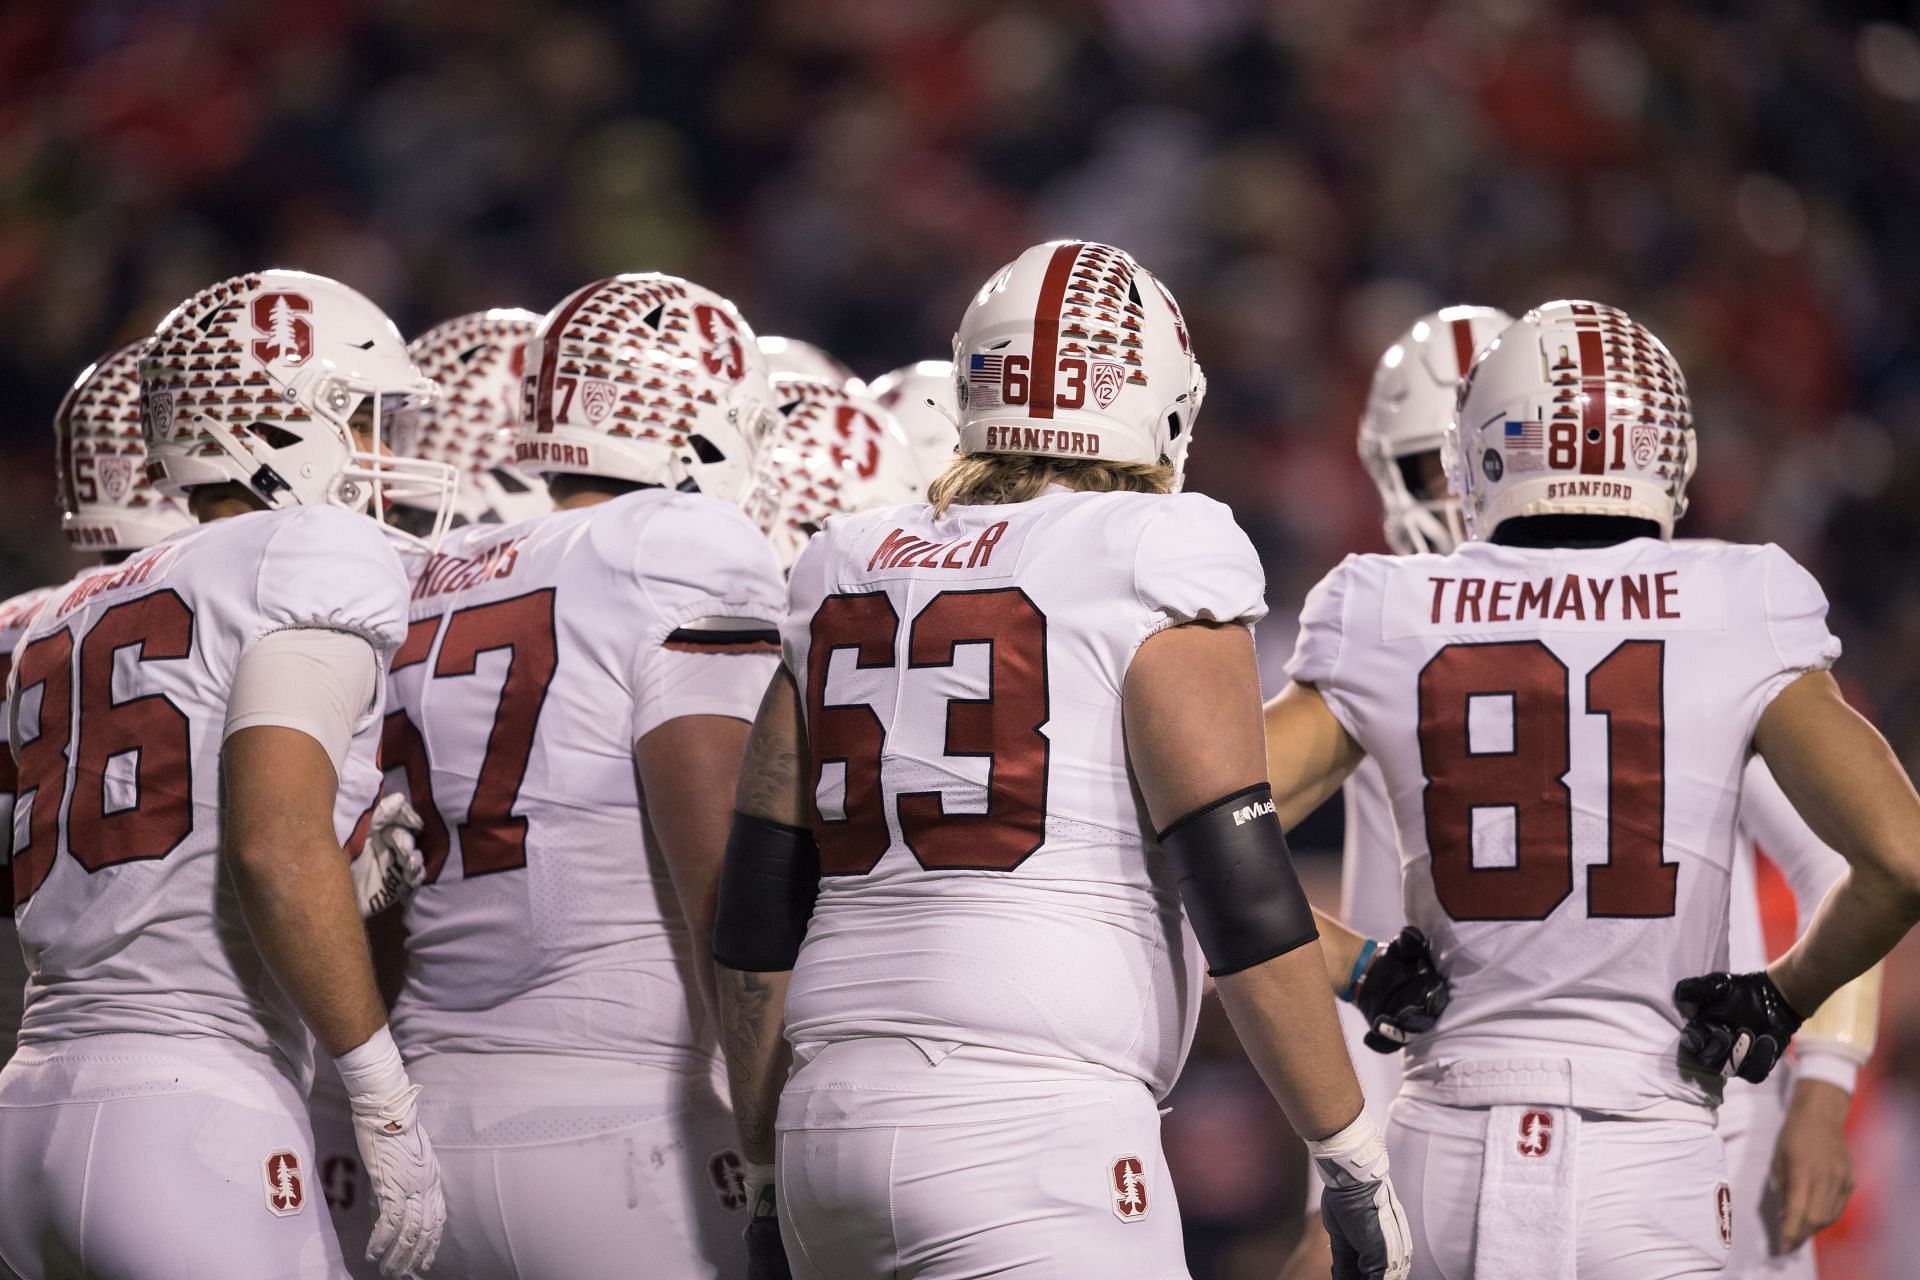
(1451, 602)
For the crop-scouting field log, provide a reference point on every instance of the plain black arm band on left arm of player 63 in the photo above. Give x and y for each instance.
(767, 895)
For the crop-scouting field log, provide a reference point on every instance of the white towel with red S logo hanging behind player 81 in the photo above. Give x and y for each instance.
(1527, 1195)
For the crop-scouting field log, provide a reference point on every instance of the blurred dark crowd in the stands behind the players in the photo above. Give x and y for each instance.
(1307, 176)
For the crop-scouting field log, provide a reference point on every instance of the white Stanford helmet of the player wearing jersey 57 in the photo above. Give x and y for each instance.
(646, 379)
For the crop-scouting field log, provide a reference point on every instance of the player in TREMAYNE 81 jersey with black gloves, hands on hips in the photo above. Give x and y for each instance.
(1562, 711)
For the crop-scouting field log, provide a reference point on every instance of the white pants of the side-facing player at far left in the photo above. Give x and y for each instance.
(158, 1158)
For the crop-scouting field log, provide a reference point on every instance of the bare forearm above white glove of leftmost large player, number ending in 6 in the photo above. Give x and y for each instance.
(299, 903)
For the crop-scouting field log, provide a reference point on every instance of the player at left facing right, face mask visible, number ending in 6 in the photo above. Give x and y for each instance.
(195, 732)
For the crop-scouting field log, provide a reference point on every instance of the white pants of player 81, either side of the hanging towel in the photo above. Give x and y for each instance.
(1646, 1195)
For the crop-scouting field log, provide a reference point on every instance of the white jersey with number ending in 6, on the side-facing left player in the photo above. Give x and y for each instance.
(120, 701)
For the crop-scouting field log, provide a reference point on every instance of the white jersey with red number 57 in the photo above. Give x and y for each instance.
(537, 655)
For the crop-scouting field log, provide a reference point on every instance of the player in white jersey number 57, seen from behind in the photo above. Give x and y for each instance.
(569, 715)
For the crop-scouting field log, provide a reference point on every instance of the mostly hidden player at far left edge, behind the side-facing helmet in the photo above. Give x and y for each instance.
(108, 510)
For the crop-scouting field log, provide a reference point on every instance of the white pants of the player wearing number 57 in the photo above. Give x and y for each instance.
(583, 1170)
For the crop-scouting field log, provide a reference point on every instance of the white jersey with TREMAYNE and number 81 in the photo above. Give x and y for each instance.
(1564, 738)
